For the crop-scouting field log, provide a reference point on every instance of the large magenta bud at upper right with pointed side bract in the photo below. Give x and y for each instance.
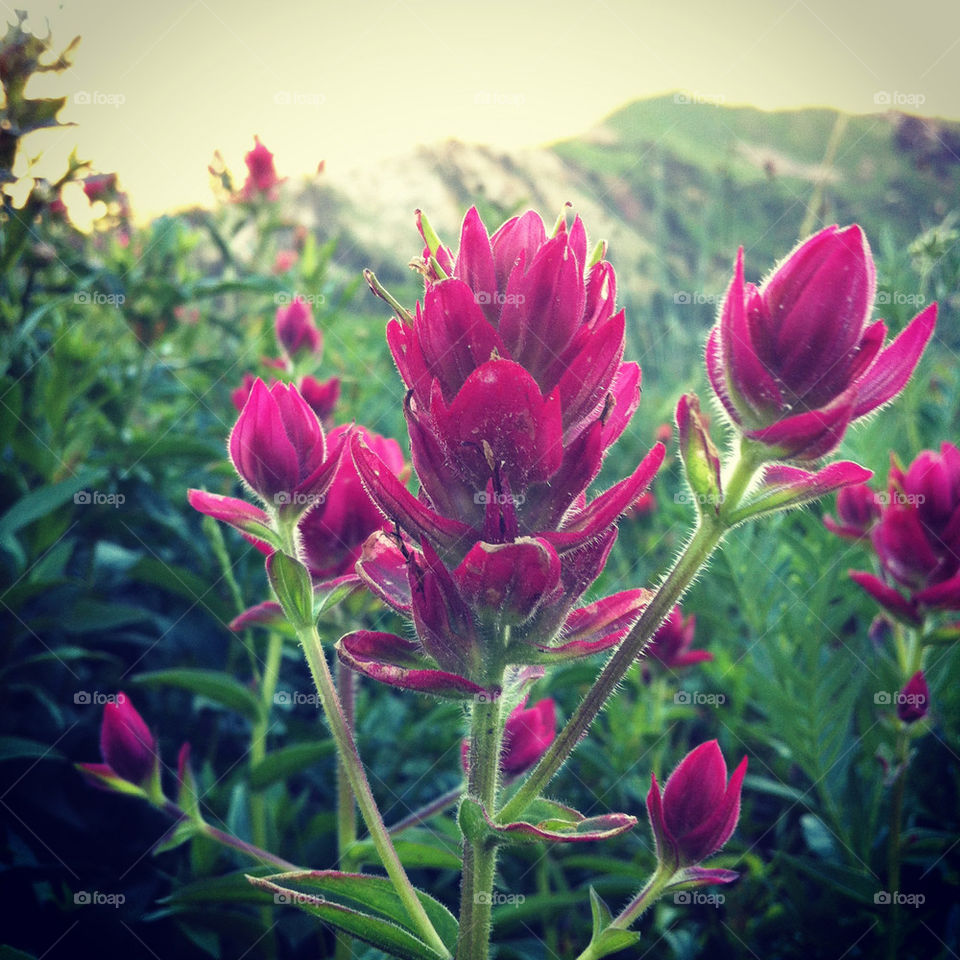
(796, 360)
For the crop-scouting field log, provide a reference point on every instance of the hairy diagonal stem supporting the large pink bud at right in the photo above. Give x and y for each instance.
(708, 533)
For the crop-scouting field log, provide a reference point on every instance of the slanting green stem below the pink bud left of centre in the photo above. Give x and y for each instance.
(347, 749)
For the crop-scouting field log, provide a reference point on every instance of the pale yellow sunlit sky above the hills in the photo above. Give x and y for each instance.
(364, 81)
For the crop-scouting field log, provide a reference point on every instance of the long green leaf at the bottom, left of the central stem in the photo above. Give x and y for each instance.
(387, 927)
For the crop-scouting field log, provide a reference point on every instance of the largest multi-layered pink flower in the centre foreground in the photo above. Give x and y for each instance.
(517, 389)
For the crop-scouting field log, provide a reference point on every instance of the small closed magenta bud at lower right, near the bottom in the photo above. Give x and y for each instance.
(697, 811)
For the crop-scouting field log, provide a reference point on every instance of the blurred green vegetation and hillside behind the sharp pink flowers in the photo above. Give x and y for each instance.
(118, 352)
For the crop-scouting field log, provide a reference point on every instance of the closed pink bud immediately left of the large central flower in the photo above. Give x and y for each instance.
(278, 447)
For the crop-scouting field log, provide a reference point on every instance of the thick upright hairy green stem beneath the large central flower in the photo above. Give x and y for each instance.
(480, 857)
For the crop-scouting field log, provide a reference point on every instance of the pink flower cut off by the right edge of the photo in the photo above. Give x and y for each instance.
(917, 537)
